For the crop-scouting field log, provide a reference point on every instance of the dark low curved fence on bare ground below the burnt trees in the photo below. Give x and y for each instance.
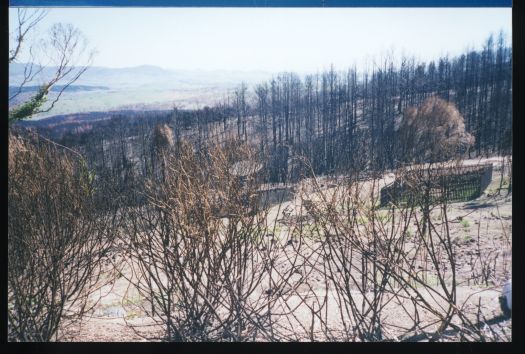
(453, 184)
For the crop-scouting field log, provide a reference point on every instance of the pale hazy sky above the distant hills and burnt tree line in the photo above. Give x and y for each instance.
(275, 39)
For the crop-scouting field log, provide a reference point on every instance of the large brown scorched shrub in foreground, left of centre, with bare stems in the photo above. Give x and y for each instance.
(200, 252)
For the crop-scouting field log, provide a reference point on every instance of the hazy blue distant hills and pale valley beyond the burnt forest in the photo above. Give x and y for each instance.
(137, 88)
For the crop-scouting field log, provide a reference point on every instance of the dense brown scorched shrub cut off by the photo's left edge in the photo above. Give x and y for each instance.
(57, 242)
